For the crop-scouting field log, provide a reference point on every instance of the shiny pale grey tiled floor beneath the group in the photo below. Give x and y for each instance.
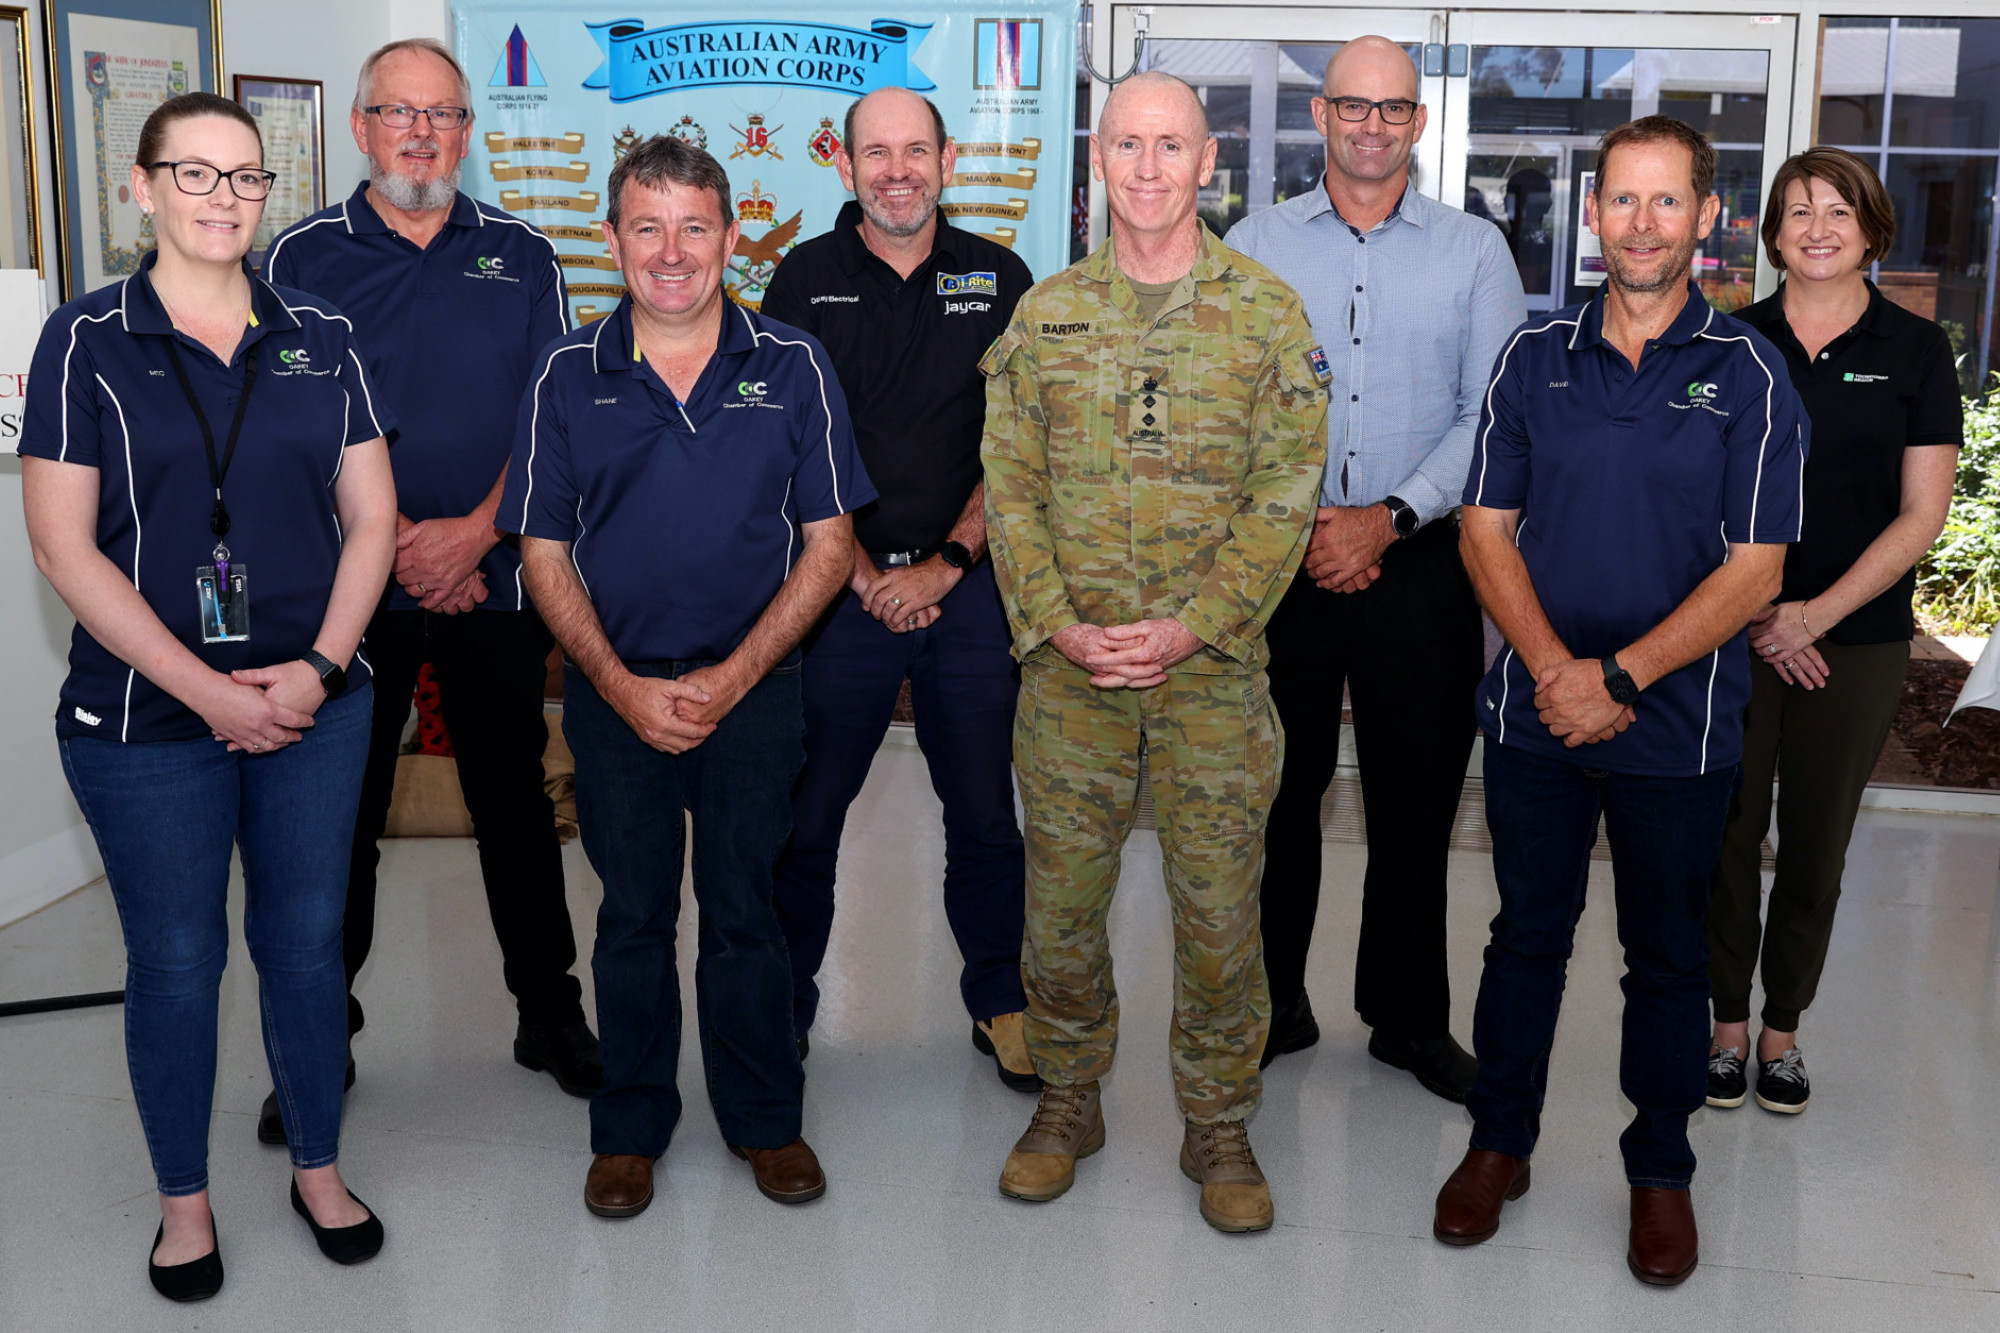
(1877, 1210)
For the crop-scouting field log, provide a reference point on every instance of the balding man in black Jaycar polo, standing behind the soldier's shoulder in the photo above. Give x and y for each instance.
(907, 303)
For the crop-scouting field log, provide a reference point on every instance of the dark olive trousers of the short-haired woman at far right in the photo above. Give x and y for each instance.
(1821, 746)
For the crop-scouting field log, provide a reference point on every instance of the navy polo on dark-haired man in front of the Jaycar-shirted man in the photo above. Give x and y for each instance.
(683, 517)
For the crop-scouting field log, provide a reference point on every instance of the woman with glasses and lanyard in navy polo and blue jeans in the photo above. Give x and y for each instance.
(209, 491)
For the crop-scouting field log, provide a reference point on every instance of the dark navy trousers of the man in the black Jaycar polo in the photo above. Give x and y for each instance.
(963, 684)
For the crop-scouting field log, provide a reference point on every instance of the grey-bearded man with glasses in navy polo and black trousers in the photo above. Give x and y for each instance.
(451, 303)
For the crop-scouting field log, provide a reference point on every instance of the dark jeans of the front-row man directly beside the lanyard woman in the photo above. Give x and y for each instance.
(631, 808)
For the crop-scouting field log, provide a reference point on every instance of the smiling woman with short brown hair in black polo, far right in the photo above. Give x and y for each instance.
(1883, 393)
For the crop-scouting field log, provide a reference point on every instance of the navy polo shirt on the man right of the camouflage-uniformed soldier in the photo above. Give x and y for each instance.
(1633, 485)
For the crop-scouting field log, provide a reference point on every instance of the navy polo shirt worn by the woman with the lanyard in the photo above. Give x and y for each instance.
(103, 393)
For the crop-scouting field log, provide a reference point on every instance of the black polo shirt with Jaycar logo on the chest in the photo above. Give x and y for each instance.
(909, 359)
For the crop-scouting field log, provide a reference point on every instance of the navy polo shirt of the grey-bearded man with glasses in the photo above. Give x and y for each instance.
(451, 331)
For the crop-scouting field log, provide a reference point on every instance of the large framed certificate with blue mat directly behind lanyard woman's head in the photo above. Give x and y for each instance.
(109, 65)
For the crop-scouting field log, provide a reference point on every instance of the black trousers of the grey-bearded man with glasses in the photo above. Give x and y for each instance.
(491, 668)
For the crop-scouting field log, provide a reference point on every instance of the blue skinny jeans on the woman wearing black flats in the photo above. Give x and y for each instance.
(167, 818)
